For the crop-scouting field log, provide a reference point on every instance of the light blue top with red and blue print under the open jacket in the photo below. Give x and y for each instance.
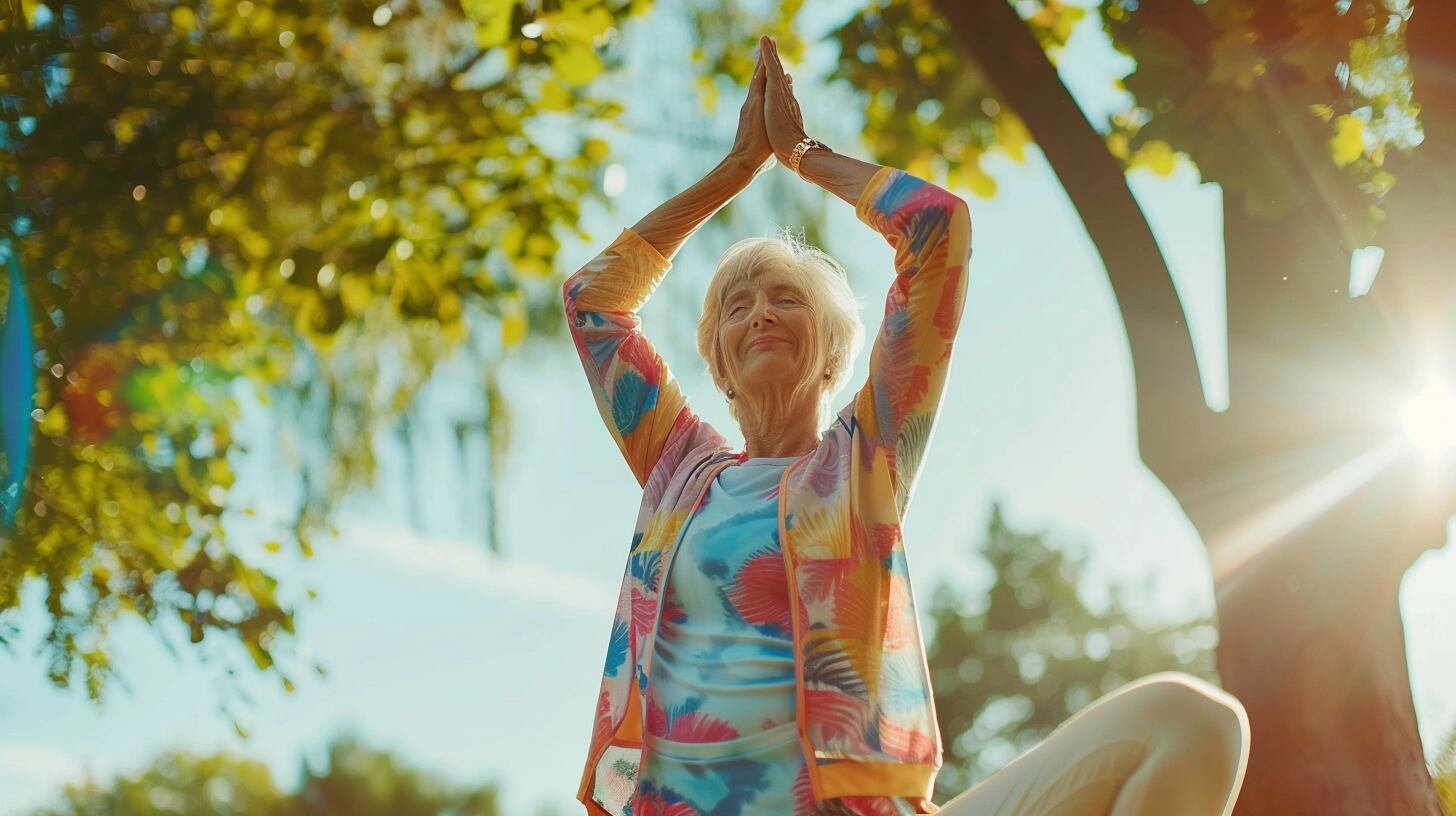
(721, 732)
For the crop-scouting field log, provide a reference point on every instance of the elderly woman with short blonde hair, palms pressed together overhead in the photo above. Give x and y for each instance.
(767, 656)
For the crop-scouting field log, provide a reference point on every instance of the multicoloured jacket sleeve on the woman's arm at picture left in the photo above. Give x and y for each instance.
(638, 399)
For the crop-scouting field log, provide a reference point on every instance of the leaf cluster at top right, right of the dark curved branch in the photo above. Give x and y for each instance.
(1298, 78)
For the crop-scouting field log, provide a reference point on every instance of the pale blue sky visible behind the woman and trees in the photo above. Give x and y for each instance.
(487, 668)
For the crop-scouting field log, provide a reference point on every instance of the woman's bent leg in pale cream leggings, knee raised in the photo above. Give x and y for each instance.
(1166, 745)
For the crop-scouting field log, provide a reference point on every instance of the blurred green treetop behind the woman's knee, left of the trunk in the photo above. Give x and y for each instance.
(1013, 664)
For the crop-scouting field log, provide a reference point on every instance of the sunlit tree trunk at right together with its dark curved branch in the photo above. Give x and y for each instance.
(1310, 511)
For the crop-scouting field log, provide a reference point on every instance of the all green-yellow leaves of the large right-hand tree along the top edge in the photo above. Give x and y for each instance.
(1301, 78)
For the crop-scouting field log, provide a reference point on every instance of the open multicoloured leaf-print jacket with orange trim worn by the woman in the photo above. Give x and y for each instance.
(866, 716)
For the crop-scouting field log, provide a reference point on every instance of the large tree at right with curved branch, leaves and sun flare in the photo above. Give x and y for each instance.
(1330, 127)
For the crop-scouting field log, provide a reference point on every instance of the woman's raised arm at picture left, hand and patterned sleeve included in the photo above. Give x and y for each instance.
(638, 399)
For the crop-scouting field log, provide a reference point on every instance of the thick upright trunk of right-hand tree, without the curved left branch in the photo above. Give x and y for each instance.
(1313, 380)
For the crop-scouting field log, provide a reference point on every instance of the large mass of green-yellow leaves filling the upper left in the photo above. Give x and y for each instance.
(309, 200)
